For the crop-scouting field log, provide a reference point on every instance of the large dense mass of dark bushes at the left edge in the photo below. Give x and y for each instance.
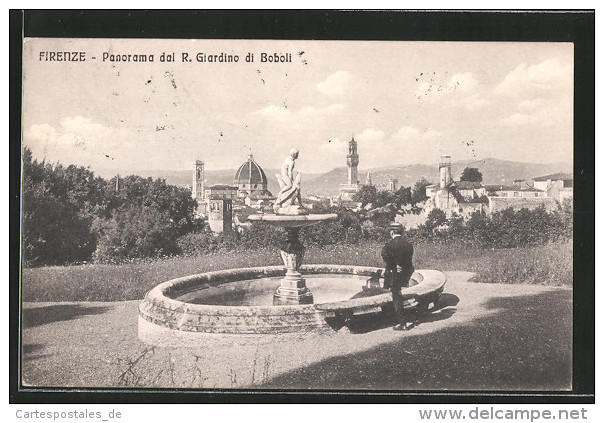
(70, 215)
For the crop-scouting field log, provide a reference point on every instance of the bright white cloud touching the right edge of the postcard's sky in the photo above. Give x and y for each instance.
(548, 76)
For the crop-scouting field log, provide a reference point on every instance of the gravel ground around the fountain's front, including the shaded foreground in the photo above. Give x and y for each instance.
(511, 337)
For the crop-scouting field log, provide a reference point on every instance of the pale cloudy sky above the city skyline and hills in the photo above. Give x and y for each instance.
(404, 102)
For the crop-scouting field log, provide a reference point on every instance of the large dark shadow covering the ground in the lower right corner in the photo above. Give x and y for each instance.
(523, 343)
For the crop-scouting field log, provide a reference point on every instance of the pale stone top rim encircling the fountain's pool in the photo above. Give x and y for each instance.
(430, 281)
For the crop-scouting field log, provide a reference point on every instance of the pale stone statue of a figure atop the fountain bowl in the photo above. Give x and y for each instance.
(289, 182)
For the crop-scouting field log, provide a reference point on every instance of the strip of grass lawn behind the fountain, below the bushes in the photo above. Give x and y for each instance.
(545, 265)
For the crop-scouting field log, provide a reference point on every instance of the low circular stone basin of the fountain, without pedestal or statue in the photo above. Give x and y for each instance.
(239, 301)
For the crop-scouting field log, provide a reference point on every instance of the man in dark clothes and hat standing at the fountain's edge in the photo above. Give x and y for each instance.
(398, 256)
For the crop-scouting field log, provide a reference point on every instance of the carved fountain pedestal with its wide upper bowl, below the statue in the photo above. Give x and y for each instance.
(293, 289)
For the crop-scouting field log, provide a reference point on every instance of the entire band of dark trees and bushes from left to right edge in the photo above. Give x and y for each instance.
(69, 215)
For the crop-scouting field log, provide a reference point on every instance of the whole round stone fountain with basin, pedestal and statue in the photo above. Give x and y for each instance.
(238, 301)
